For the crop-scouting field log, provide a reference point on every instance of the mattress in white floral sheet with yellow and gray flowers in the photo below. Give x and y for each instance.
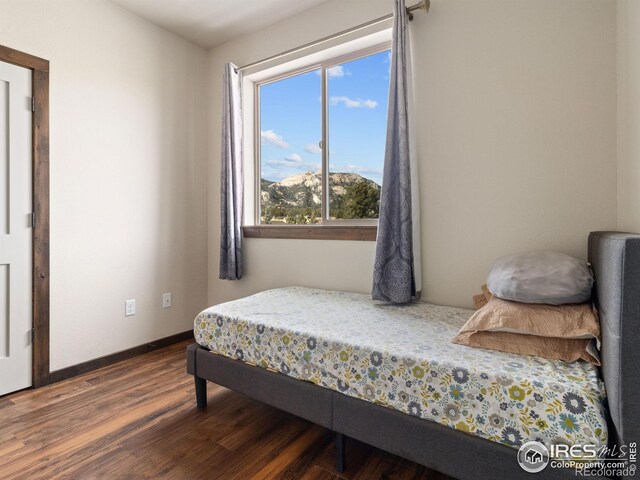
(402, 357)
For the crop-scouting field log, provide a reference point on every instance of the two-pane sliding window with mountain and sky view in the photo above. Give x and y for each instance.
(320, 140)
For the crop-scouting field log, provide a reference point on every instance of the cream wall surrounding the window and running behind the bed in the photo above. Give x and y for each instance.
(516, 119)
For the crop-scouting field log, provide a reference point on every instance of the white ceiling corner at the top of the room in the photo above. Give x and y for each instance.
(209, 23)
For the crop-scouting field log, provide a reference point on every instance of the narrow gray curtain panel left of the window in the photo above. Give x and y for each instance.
(231, 176)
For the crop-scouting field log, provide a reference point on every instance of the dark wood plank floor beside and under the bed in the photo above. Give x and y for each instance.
(137, 419)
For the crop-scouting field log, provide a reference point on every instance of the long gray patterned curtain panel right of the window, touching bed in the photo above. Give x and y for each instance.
(394, 278)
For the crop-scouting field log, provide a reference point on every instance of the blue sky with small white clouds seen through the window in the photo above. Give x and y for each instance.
(291, 120)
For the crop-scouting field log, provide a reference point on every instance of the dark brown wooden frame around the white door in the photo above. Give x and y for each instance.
(40, 154)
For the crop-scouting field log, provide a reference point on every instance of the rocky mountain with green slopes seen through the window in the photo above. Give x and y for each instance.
(304, 190)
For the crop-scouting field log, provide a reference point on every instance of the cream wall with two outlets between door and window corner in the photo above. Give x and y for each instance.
(127, 173)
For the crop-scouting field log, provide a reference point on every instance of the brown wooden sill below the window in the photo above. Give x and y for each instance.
(313, 232)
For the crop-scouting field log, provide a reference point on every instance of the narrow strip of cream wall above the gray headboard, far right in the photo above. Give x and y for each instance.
(629, 115)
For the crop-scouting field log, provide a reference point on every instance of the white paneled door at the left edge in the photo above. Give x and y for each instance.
(15, 228)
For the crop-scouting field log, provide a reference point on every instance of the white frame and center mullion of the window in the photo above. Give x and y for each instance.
(323, 66)
